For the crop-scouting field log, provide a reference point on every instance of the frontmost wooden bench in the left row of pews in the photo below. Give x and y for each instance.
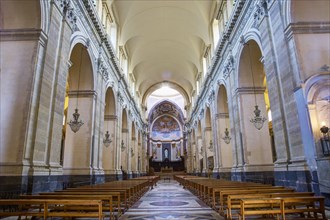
(49, 208)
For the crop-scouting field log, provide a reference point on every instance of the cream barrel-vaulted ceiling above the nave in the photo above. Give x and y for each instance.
(164, 40)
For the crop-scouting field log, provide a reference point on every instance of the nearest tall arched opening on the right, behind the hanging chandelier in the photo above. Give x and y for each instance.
(257, 148)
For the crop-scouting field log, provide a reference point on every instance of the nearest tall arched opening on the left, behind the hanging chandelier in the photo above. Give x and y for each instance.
(77, 152)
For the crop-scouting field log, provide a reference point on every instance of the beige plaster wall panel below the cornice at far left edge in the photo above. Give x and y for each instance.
(16, 84)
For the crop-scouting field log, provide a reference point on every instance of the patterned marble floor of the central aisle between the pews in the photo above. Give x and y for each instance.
(168, 200)
